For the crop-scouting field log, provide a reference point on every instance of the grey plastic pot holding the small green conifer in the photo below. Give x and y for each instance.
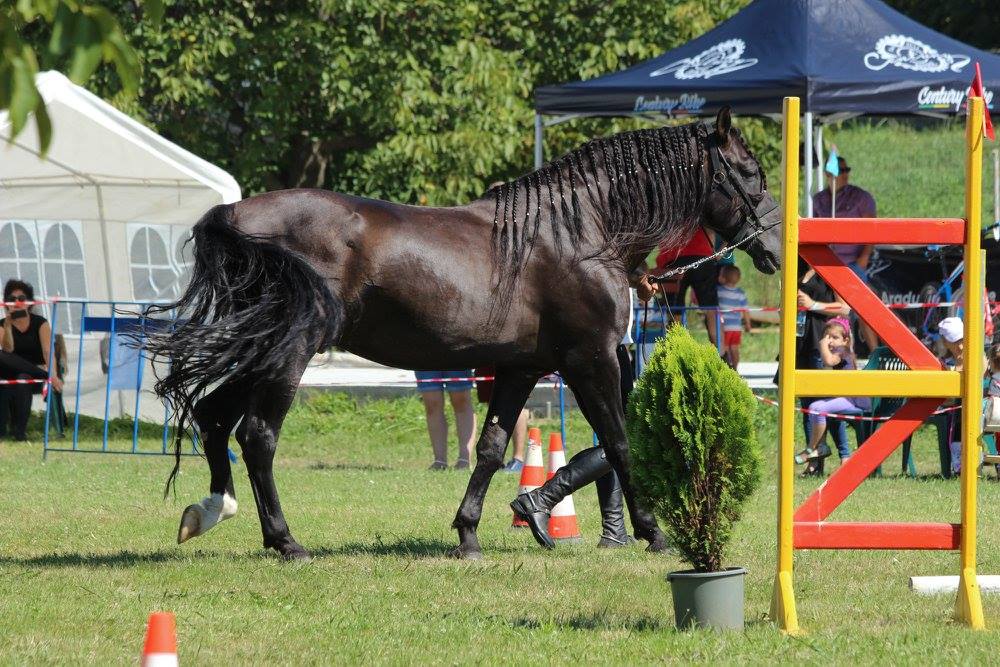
(708, 599)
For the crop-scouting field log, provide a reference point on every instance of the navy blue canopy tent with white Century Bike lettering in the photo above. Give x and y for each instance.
(842, 57)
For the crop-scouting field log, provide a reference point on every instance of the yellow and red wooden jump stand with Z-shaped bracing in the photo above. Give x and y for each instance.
(925, 385)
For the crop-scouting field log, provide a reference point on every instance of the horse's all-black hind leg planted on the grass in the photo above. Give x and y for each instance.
(258, 436)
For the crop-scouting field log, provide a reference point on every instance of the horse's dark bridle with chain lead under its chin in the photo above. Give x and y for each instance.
(753, 207)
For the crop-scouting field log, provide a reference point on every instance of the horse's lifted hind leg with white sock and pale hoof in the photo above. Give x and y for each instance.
(214, 416)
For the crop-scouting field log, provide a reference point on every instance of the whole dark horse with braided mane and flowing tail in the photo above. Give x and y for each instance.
(531, 278)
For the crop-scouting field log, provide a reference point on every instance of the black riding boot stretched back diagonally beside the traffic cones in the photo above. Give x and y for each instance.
(535, 506)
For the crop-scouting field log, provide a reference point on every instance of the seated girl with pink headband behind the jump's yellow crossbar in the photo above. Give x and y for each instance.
(837, 353)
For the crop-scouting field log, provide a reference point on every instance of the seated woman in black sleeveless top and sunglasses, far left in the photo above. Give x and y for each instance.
(24, 339)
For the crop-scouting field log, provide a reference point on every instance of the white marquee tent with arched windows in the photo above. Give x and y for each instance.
(105, 213)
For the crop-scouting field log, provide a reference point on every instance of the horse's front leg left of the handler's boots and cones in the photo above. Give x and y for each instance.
(509, 395)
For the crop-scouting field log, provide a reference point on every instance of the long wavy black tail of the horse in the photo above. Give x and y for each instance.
(250, 304)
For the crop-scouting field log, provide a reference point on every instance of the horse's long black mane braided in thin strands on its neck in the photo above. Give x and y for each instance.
(644, 187)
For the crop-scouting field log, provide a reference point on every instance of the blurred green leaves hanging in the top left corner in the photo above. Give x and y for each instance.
(79, 37)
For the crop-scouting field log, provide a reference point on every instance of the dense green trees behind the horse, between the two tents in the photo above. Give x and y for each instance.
(419, 102)
